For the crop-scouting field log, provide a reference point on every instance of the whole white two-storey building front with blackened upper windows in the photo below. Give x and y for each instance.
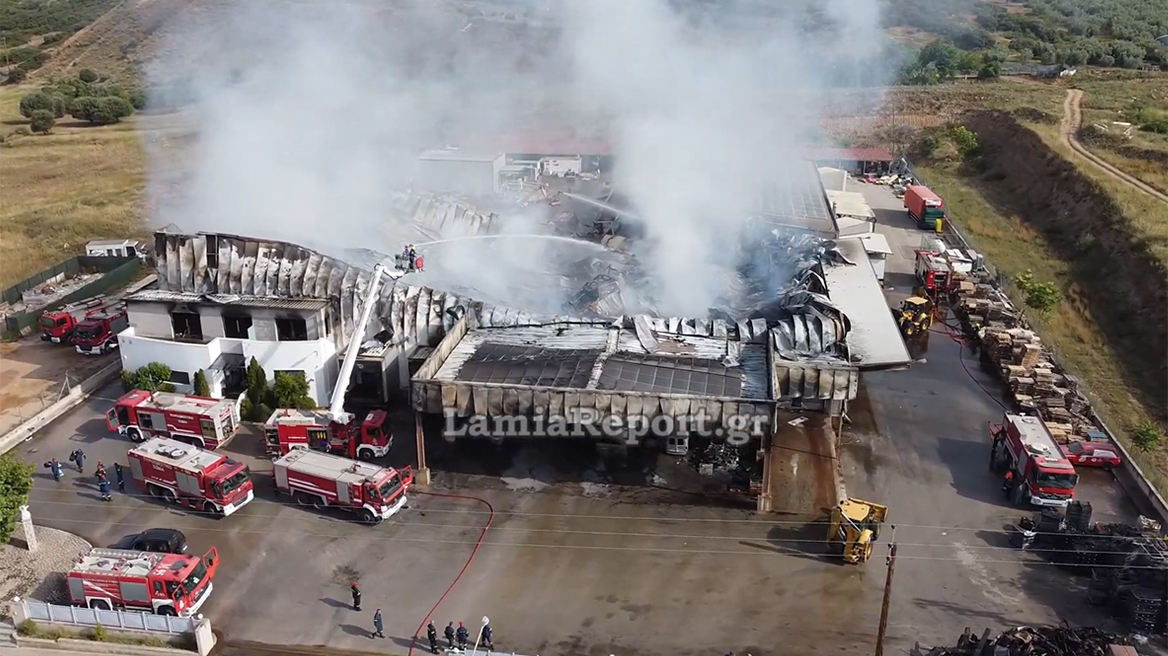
(220, 336)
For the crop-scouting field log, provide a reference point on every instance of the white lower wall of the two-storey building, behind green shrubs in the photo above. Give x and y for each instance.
(317, 359)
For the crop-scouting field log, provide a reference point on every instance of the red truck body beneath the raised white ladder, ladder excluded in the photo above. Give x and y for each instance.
(312, 429)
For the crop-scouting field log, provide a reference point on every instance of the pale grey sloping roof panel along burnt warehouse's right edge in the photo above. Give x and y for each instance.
(874, 340)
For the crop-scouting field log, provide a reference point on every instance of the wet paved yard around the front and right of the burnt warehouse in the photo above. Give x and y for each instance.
(582, 567)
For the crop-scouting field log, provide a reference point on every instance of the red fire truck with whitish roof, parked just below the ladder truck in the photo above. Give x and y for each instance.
(323, 480)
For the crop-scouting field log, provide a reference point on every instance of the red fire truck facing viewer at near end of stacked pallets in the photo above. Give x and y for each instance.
(1038, 472)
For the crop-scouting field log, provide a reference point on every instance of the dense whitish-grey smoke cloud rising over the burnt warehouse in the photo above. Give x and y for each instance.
(311, 115)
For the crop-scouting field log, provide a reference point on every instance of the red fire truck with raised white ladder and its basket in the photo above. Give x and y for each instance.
(335, 430)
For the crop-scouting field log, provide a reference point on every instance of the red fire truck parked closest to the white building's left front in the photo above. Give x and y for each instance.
(206, 423)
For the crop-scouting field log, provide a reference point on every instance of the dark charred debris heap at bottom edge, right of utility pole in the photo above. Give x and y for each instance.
(1031, 641)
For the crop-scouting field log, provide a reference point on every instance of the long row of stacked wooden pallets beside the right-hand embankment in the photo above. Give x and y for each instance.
(1035, 381)
